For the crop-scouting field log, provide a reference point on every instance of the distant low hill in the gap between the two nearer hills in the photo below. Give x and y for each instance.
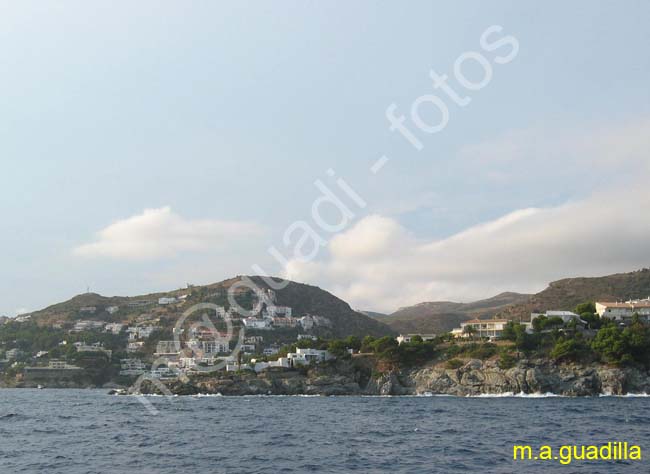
(443, 316)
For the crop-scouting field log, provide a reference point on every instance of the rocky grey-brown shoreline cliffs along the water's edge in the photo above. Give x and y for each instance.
(474, 378)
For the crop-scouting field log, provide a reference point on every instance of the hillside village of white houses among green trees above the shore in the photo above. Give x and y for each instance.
(114, 342)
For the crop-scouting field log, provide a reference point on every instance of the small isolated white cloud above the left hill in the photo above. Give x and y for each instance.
(160, 233)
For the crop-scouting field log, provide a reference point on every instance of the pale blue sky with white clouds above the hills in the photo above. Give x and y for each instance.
(147, 145)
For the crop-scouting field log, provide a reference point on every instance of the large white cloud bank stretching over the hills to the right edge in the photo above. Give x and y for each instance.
(379, 265)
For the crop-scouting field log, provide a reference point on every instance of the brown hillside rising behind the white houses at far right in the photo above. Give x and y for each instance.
(566, 294)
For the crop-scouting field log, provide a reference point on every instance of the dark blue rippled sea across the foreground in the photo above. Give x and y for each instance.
(88, 431)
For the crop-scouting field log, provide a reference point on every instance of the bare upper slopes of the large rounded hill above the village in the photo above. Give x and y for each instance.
(303, 299)
